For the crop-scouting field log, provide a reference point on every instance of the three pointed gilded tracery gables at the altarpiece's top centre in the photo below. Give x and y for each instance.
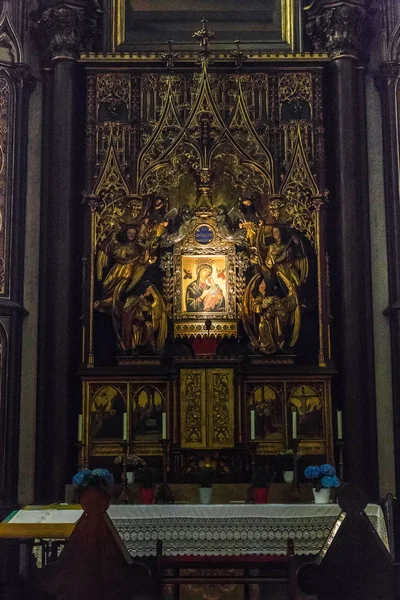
(203, 132)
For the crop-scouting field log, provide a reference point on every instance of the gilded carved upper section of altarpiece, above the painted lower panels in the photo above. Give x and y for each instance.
(201, 143)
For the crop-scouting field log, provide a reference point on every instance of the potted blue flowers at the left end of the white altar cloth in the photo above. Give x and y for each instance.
(94, 488)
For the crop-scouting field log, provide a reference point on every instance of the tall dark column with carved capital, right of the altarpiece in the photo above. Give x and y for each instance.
(340, 29)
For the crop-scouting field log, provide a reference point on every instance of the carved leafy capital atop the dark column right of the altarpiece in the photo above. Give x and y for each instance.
(339, 30)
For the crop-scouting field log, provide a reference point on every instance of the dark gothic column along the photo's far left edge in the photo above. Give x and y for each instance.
(16, 85)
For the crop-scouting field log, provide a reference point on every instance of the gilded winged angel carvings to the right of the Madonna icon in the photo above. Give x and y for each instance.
(272, 304)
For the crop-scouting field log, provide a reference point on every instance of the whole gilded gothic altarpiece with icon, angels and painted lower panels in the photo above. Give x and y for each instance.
(206, 284)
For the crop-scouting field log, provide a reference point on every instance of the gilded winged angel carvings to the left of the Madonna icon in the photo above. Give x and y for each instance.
(137, 308)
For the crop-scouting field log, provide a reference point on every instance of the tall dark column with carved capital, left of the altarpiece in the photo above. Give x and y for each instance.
(61, 32)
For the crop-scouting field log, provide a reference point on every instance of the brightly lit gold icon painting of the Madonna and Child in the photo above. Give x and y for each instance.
(207, 292)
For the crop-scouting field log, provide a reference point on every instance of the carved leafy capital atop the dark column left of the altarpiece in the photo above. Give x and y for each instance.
(65, 31)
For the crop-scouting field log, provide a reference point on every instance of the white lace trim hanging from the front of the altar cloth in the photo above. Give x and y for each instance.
(234, 537)
